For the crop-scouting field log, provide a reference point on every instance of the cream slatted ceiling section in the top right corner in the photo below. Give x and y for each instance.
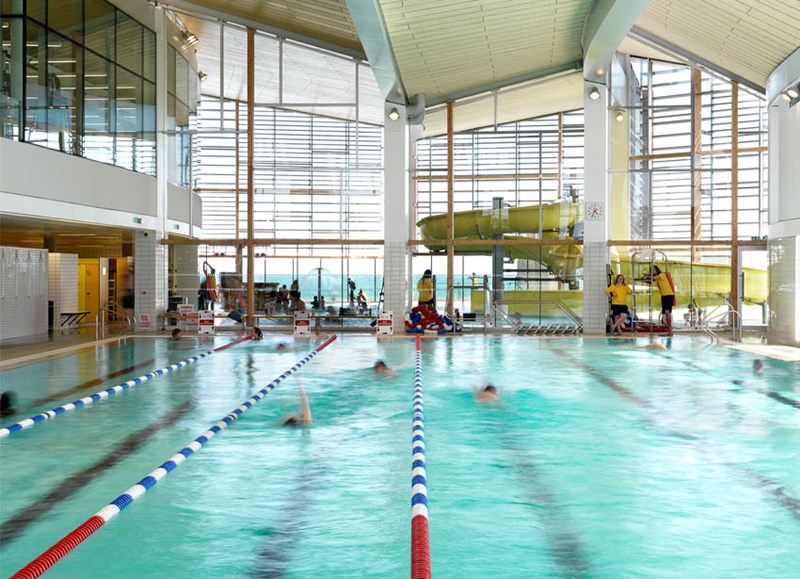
(749, 38)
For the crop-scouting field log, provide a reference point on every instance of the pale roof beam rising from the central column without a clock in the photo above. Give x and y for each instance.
(371, 27)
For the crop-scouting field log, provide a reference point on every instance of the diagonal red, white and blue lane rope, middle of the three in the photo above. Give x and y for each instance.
(83, 531)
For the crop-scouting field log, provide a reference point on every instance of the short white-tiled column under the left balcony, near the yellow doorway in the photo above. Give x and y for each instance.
(150, 279)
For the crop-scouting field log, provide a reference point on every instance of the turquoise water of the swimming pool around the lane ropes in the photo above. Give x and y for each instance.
(598, 461)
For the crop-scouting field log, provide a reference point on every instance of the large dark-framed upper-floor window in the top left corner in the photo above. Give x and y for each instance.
(78, 76)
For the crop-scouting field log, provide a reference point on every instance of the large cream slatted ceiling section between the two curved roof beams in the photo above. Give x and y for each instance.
(449, 48)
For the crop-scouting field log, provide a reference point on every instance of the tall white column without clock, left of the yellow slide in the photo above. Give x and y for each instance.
(396, 254)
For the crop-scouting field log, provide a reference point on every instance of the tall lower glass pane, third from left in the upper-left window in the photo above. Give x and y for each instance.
(63, 64)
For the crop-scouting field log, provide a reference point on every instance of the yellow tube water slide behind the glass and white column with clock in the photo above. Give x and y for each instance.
(707, 283)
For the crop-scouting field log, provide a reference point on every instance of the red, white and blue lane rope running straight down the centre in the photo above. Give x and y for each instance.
(420, 544)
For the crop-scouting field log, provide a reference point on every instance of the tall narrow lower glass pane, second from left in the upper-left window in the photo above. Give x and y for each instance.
(36, 84)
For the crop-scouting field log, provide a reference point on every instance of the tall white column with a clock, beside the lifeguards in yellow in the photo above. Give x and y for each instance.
(596, 219)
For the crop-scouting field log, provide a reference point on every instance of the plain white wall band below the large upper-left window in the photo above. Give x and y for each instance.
(35, 171)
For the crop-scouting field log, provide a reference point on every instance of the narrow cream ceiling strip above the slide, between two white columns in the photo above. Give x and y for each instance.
(536, 99)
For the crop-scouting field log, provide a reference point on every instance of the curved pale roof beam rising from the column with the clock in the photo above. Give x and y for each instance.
(606, 27)
